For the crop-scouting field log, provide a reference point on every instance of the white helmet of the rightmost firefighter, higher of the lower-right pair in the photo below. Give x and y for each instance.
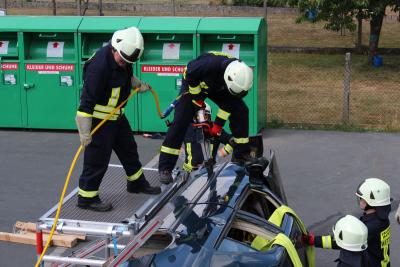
(375, 192)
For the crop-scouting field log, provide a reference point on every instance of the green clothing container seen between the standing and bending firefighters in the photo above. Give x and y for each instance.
(170, 43)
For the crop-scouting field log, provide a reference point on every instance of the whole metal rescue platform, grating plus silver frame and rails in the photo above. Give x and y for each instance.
(133, 221)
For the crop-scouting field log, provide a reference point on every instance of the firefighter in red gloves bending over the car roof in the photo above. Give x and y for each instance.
(225, 80)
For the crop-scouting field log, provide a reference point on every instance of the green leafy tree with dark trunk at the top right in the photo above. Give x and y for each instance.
(341, 14)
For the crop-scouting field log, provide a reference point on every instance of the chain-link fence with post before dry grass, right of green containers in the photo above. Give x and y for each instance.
(311, 89)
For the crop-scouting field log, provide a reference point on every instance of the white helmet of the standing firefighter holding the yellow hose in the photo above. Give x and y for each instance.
(128, 43)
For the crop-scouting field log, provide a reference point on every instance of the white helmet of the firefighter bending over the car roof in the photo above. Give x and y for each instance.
(238, 77)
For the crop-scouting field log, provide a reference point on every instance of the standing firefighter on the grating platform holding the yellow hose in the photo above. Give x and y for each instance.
(107, 81)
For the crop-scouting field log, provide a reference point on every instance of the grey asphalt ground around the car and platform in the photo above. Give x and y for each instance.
(320, 171)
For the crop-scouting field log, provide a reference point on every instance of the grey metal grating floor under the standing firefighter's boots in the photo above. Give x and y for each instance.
(113, 189)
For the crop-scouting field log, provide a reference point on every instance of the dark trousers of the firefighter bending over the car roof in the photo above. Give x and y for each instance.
(184, 112)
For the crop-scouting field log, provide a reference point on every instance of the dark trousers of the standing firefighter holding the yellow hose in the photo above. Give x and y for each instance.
(113, 135)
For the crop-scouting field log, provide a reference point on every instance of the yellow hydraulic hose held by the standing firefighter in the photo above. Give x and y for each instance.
(74, 163)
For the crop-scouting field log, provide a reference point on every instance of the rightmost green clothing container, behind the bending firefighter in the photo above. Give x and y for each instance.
(246, 39)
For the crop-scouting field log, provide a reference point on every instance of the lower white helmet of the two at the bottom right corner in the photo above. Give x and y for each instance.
(351, 233)
